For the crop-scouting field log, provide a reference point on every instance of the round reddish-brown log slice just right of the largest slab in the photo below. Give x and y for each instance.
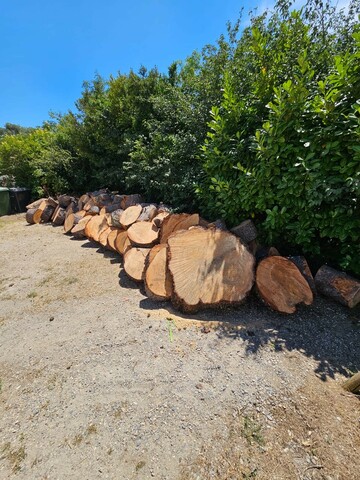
(281, 285)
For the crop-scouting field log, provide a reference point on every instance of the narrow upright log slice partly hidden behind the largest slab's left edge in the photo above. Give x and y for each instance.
(158, 283)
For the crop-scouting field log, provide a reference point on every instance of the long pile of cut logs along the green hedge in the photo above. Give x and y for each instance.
(184, 258)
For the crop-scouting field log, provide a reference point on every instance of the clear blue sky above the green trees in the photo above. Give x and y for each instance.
(49, 47)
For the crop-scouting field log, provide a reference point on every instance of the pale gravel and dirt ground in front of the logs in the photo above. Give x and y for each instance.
(97, 382)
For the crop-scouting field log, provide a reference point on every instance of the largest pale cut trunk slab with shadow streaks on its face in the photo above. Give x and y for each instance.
(209, 268)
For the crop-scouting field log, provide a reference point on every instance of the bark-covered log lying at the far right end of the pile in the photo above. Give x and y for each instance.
(338, 286)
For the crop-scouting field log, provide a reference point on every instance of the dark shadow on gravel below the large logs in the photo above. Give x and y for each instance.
(326, 331)
